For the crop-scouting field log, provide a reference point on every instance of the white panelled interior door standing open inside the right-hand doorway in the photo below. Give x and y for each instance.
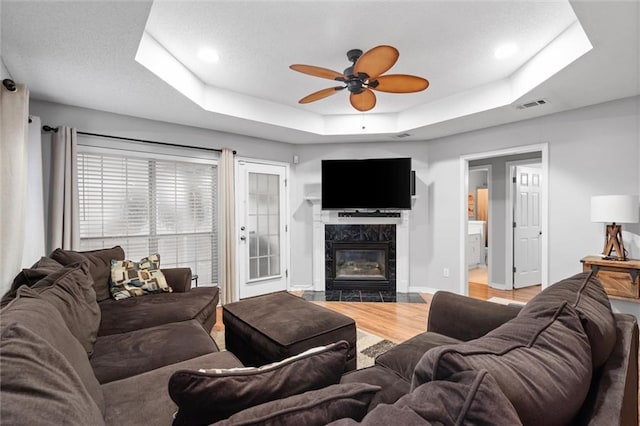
(527, 229)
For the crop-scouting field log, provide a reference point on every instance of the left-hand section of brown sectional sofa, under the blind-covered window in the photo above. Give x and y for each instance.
(98, 362)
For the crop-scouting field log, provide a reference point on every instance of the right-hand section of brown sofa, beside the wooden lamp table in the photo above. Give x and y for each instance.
(564, 358)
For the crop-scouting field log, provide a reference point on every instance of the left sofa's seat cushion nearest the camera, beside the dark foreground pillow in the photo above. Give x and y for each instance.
(144, 399)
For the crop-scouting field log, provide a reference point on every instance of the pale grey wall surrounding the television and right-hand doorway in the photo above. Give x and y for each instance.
(593, 150)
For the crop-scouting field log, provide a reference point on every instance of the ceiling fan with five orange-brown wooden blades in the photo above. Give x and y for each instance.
(364, 76)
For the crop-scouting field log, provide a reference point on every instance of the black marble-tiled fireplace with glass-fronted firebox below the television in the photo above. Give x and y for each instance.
(360, 257)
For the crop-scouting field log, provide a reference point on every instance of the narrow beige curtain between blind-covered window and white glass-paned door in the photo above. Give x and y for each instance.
(228, 226)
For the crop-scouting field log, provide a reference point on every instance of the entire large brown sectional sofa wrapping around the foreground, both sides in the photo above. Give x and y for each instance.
(563, 359)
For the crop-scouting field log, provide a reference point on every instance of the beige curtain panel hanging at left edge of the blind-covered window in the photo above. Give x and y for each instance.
(63, 222)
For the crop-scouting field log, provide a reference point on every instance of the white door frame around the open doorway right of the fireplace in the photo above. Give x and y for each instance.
(543, 148)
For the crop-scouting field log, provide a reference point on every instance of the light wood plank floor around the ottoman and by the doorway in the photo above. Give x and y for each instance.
(398, 322)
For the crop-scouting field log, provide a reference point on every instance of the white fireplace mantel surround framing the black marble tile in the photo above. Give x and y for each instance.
(367, 228)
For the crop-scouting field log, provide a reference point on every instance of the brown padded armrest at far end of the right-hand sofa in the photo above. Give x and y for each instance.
(465, 318)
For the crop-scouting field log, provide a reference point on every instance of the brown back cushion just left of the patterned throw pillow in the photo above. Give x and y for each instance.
(99, 265)
